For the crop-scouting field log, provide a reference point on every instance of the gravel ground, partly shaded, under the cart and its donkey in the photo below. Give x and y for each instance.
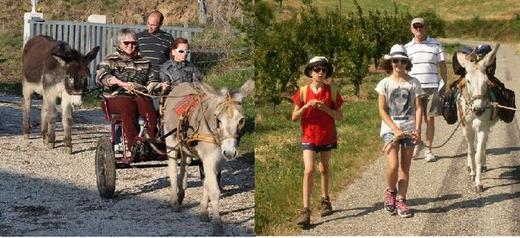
(50, 193)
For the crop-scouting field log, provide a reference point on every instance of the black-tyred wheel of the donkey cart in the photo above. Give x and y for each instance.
(105, 168)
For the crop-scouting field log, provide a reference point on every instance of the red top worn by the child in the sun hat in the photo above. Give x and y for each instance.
(317, 126)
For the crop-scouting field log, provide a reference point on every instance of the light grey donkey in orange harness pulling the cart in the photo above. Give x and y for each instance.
(208, 126)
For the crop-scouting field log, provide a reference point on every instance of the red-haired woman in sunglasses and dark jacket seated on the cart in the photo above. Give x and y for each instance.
(178, 69)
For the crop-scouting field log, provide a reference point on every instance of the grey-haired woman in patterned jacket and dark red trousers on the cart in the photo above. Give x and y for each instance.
(123, 72)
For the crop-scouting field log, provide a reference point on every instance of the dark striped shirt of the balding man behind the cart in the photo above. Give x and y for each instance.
(155, 48)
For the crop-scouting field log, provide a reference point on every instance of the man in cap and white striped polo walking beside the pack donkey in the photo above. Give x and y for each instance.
(428, 60)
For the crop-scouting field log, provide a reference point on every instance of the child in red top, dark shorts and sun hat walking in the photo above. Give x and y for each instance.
(317, 112)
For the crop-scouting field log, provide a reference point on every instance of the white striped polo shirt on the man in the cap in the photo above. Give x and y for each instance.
(425, 57)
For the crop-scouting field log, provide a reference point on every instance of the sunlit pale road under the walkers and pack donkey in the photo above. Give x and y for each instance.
(440, 193)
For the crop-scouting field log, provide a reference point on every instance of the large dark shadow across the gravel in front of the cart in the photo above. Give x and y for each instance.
(61, 209)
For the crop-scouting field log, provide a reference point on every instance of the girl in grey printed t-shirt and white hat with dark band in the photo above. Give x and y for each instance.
(400, 110)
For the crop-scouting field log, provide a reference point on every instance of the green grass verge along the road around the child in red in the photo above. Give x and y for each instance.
(279, 167)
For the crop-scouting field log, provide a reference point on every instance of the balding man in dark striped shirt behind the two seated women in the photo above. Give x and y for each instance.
(154, 44)
